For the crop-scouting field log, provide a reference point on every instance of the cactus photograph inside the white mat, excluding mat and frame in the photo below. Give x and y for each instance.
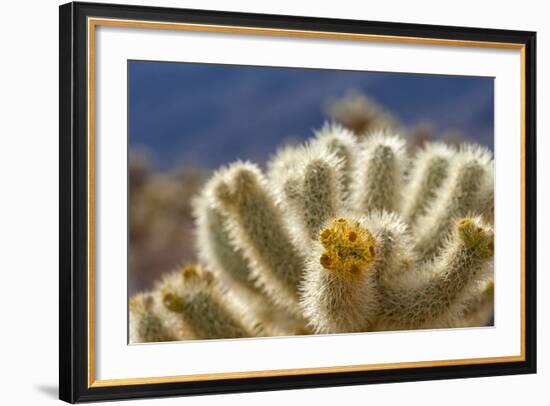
(281, 201)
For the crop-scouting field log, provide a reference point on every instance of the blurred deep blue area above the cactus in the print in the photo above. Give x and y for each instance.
(209, 115)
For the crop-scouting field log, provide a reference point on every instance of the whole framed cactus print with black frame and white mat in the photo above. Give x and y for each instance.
(257, 202)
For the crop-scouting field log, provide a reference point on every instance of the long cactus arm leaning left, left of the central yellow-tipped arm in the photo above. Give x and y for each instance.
(257, 228)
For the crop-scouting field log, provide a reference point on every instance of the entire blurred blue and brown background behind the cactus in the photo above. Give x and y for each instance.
(185, 120)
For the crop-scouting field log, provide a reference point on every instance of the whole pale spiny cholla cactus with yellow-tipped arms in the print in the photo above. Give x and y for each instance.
(340, 235)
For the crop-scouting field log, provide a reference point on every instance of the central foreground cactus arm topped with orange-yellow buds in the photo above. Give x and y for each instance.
(339, 293)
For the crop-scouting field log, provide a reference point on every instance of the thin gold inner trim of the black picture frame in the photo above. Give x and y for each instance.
(94, 22)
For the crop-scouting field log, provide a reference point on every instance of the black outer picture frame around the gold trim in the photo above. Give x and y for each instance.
(74, 385)
